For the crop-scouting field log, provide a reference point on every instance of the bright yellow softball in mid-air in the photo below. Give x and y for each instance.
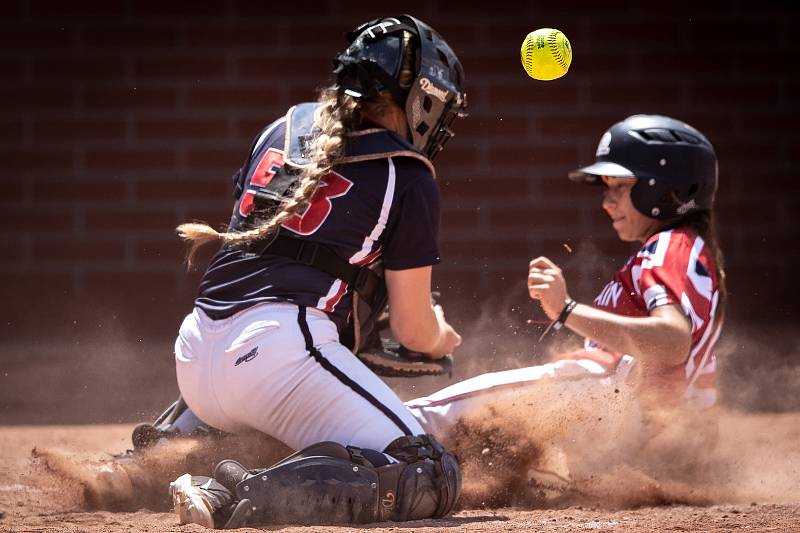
(546, 54)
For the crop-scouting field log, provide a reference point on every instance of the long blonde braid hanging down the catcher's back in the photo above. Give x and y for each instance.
(336, 116)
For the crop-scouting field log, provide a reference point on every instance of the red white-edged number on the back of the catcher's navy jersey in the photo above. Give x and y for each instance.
(332, 185)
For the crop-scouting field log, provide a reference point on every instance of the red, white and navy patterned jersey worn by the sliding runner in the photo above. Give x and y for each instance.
(673, 267)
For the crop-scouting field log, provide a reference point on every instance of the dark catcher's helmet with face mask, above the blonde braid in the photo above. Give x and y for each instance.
(372, 64)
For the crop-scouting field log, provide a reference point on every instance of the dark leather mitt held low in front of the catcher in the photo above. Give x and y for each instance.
(388, 358)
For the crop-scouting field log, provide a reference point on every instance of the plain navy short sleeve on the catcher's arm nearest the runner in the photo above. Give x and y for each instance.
(412, 238)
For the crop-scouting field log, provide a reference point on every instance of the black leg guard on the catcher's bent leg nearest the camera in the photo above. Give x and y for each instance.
(328, 483)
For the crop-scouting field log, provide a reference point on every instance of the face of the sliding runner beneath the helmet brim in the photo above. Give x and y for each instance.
(626, 220)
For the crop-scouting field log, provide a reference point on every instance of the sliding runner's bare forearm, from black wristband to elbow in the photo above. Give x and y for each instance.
(649, 339)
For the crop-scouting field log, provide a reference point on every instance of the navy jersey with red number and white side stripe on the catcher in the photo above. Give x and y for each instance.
(385, 208)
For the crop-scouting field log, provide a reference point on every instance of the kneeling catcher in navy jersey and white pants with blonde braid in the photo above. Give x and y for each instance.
(336, 213)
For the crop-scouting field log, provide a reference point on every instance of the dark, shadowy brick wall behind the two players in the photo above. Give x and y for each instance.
(119, 120)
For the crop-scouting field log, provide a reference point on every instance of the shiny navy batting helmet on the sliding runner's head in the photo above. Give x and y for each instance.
(675, 165)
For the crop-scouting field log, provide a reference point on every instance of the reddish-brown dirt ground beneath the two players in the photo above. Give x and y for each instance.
(49, 481)
